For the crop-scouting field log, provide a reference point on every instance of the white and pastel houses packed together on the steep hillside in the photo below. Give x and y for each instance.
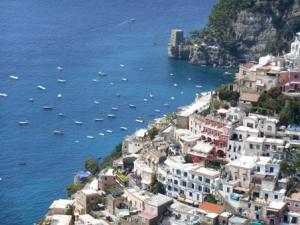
(219, 167)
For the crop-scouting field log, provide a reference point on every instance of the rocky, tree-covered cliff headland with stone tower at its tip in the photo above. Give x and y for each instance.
(240, 31)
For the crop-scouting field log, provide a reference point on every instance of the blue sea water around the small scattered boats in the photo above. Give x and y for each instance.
(83, 37)
